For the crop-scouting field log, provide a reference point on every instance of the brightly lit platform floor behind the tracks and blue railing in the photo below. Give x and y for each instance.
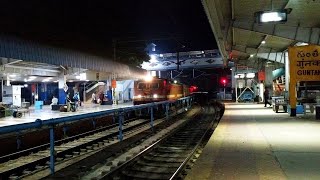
(46, 113)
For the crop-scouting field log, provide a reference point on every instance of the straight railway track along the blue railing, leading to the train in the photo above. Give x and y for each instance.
(17, 165)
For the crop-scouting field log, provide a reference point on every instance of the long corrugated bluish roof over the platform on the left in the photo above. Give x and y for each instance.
(20, 59)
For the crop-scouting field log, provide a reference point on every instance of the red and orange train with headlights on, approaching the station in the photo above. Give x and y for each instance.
(158, 89)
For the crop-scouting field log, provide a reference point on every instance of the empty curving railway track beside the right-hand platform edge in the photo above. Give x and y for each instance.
(168, 157)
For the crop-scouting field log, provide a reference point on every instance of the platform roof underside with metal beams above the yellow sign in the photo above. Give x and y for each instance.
(244, 40)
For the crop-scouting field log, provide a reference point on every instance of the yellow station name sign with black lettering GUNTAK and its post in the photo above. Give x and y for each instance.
(304, 66)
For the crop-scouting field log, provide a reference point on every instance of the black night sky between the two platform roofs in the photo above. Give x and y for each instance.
(91, 25)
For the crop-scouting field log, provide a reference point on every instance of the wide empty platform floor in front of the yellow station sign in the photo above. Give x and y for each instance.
(254, 142)
